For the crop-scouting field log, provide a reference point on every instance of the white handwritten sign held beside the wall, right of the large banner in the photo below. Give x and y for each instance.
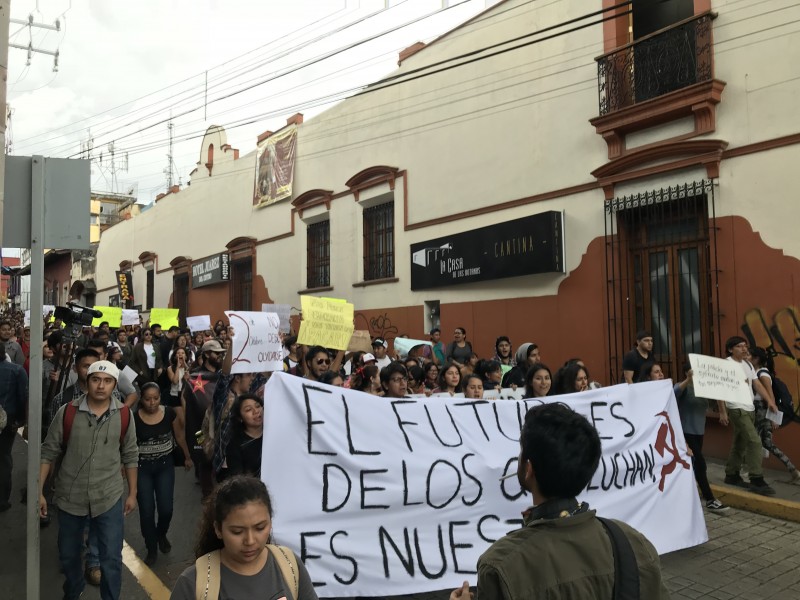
(721, 379)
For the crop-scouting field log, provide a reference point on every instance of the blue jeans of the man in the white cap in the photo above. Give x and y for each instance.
(108, 529)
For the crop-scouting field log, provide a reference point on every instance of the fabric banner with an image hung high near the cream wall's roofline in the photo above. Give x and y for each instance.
(275, 167)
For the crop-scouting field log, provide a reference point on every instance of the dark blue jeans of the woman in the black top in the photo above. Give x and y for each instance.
(155, 487)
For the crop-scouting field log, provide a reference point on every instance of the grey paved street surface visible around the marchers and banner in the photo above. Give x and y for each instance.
(748, 555)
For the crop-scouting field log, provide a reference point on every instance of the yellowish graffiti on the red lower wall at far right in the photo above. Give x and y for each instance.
(779, 335)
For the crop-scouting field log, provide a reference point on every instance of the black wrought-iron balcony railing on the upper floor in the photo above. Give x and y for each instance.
(662, 62)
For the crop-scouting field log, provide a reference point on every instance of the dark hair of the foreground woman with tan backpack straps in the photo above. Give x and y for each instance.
(230, 494)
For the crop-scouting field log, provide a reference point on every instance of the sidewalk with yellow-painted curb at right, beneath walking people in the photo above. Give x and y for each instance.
(784, 505)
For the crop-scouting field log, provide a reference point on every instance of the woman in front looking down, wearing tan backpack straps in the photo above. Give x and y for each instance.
(234, 559)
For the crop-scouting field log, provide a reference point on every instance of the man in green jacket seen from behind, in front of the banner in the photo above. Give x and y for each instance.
(563, 550)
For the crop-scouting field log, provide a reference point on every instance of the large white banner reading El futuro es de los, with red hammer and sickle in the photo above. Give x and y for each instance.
(381, 496)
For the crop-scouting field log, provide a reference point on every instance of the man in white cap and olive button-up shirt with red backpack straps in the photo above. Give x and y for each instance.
(101, 440)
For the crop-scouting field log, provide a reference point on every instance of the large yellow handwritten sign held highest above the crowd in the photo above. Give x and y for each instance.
(326, 322)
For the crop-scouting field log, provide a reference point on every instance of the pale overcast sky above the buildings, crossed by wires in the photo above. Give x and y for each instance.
(125, 67)
